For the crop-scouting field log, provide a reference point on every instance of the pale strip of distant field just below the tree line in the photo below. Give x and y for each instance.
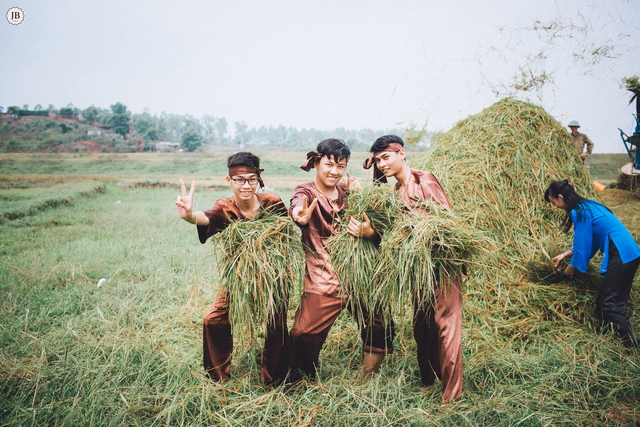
(282, 168)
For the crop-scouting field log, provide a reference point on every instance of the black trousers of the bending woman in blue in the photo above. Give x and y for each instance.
(611, 305)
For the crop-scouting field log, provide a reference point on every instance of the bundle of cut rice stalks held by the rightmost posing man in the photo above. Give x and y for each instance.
(428, 247)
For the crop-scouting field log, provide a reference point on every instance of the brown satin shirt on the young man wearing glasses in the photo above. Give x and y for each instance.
(224, 211)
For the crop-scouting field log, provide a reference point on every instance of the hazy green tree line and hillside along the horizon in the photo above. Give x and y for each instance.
(116, 129)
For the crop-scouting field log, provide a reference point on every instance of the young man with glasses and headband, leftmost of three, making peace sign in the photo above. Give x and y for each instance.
(245, 204)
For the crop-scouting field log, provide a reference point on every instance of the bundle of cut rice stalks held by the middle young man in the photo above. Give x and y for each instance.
(355, 259)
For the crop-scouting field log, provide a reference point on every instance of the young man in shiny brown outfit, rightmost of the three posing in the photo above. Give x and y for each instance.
(437, 327)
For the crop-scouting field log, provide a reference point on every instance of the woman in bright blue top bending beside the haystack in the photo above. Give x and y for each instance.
(595, 228)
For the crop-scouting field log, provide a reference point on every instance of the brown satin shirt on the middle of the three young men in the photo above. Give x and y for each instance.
(320, 277)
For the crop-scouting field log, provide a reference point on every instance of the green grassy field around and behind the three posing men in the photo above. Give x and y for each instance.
(129, 352)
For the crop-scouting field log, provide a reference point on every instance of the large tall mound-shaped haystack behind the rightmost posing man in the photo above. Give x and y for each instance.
(495, 167)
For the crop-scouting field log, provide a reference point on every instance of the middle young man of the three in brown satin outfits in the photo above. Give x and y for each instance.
(317, 207)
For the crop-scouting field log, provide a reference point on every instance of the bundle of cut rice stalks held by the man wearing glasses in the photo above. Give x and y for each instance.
(259, 262)
